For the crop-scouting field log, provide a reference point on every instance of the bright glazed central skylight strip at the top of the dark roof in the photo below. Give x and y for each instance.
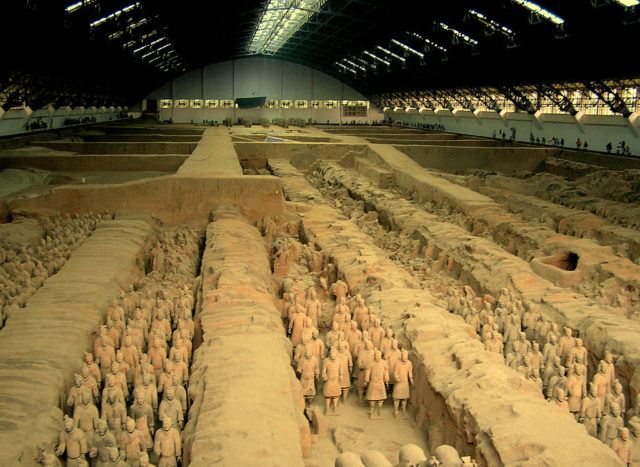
(279, 21)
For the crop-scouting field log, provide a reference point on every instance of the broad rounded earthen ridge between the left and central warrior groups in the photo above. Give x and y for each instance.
(247, 402)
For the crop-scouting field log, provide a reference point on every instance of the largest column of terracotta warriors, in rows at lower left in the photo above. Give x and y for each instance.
(129, 402)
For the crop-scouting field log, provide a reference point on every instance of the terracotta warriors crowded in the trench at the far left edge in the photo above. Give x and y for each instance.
(23, 269)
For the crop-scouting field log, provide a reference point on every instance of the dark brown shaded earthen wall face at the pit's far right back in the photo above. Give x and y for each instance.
(461, 158)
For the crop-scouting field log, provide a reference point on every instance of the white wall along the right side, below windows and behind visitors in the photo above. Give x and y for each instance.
(597, 130)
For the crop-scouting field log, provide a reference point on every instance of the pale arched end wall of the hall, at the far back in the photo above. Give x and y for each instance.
(257, 77)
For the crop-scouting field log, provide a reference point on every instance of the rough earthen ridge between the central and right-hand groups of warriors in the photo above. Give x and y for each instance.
(464, 395)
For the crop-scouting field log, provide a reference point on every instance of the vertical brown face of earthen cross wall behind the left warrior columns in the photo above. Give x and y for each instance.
(173, 200)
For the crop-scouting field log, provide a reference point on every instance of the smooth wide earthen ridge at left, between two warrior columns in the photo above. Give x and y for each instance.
(42, 345)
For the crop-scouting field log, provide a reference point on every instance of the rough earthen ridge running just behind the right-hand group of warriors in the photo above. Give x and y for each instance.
(487, 268)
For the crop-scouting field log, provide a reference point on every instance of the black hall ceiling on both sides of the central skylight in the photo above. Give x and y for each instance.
(59, 55)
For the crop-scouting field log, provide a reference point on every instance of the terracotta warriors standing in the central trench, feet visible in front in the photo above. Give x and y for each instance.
(357, 350)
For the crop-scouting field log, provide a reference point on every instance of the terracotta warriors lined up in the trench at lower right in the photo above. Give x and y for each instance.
(557, 362)
